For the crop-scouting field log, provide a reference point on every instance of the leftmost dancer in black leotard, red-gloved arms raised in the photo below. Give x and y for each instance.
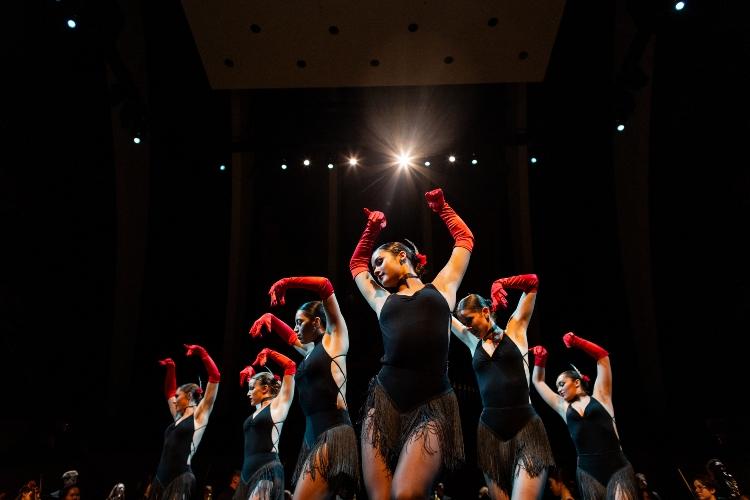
(190, 409)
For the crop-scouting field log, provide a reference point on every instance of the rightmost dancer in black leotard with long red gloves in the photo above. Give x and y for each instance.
(603, 470)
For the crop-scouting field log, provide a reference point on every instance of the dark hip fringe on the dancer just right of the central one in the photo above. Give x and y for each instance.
(529, 448)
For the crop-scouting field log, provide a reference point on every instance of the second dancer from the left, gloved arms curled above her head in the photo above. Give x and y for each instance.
(262, 475)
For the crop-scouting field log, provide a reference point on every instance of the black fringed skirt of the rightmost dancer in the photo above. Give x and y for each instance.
(600, 476)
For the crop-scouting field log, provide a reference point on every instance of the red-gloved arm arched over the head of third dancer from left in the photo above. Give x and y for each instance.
(335, 324)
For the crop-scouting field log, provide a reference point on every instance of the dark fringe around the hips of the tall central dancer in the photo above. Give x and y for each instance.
(389, 431)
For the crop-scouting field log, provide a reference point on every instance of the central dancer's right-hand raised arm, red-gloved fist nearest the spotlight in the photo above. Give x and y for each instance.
(449, 278)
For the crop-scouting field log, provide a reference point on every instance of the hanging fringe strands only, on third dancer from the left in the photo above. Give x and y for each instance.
(335, 457)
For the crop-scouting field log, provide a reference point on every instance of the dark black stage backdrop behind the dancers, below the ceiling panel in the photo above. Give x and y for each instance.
(112, 258)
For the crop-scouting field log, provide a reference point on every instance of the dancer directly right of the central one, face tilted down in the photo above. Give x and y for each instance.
(513, 451)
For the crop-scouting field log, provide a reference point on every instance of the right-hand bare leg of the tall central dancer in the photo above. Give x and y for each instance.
(417, 468)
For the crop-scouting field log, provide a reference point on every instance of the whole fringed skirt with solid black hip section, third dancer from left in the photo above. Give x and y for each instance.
(330, 450)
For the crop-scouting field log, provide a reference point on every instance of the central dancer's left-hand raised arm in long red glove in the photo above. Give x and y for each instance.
(373, 293)
